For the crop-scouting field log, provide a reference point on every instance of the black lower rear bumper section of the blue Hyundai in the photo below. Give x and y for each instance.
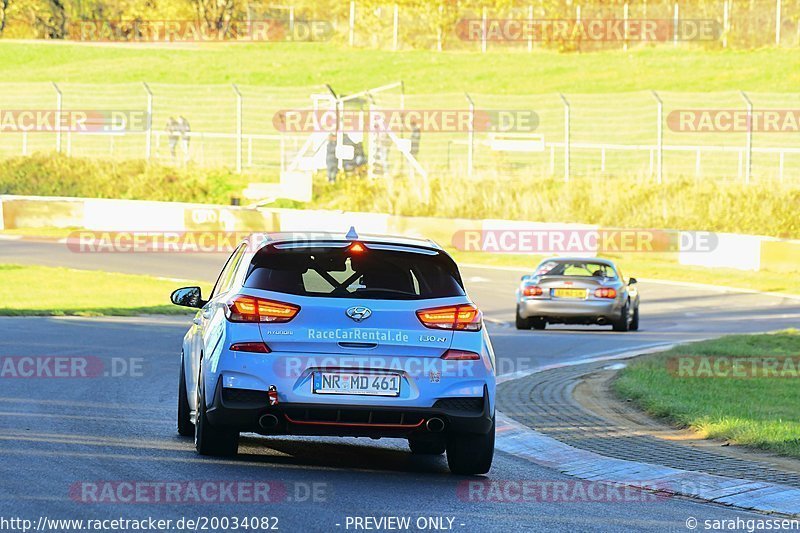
(241, 409)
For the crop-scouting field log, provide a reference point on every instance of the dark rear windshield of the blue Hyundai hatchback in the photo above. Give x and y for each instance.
(344, 273)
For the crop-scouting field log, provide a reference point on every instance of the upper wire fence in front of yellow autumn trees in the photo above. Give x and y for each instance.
(435, 25)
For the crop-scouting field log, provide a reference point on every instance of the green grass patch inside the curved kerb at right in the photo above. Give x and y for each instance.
(758, 412)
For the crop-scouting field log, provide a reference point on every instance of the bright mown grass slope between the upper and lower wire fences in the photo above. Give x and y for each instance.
(348, 70)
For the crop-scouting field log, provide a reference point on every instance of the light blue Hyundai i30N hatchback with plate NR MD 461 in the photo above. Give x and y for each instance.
(339, 335)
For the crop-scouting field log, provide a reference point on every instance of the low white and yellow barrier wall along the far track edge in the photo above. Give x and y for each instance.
(744, 252)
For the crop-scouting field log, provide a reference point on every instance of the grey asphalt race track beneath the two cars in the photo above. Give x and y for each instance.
(60, 439)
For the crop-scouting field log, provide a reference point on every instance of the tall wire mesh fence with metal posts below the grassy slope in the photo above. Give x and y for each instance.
(578, 136)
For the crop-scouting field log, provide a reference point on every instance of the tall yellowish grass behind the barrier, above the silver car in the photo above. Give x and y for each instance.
(611, 202)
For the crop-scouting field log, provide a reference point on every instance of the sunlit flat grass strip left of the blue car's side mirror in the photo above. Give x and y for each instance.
(48, 291)
